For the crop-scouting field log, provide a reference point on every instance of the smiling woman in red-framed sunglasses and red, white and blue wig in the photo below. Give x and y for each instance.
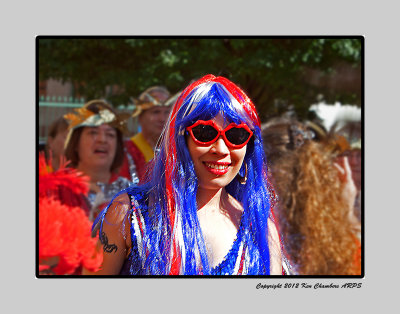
(205, 207)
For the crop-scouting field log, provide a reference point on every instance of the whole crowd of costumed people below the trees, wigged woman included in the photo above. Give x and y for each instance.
(204, 188)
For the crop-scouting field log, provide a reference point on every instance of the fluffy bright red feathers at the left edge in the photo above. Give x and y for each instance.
(64, 228)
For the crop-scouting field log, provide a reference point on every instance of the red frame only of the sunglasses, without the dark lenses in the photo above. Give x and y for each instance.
(221, 132)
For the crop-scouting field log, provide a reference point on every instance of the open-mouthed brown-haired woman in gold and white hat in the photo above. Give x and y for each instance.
(94, 146)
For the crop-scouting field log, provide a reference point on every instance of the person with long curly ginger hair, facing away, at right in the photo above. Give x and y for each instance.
(315, 199)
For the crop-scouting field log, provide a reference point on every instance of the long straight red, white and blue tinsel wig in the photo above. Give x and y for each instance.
(176, 244)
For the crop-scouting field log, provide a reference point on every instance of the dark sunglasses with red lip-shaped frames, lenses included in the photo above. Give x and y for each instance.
(205, 133)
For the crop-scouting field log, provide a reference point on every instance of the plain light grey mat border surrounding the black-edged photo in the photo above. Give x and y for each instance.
(21, 22)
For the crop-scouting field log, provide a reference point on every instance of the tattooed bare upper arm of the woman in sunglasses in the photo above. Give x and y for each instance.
(114, 236)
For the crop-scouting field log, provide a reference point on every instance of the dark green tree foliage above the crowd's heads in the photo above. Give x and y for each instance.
(277, 73)
